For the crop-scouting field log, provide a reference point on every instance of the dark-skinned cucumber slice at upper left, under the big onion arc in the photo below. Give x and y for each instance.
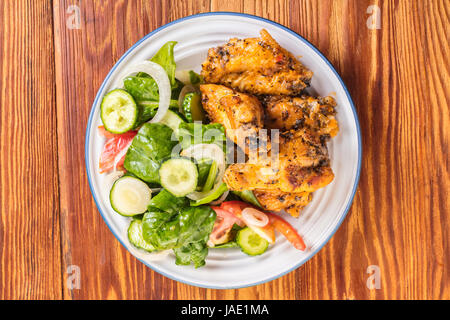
(118, 111)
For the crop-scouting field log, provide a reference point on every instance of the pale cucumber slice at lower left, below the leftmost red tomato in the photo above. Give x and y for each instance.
(130, 196)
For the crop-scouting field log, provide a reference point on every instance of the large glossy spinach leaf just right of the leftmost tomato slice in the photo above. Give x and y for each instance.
(152, 144)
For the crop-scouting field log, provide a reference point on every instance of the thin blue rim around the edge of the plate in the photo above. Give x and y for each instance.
(355, 115)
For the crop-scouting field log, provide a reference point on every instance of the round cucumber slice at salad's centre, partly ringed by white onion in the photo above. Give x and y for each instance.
(179, 176)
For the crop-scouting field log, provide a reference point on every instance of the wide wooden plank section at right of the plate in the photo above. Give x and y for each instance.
(399, 80)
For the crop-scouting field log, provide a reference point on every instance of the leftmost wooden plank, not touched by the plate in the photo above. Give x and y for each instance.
(29, 212)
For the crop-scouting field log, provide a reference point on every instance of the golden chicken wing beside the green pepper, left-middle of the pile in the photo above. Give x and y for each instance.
(241, 114)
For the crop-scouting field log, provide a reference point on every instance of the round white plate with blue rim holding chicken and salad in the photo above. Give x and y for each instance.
(230, 268)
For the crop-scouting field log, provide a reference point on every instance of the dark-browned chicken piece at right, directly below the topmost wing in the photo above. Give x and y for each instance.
(287, 113)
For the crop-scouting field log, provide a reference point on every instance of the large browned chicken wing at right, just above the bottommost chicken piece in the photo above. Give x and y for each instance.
(302, 165)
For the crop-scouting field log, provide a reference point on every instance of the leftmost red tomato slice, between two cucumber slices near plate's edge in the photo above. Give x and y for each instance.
(115, 143)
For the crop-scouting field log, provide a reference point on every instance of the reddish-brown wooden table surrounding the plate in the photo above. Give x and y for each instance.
(398, 76)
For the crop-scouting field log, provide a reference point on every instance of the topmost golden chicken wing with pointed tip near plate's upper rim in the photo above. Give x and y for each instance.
(256, 65)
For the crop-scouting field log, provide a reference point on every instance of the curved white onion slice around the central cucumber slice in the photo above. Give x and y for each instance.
(208, 151)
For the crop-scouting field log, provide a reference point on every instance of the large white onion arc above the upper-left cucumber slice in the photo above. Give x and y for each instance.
(158, 73)
